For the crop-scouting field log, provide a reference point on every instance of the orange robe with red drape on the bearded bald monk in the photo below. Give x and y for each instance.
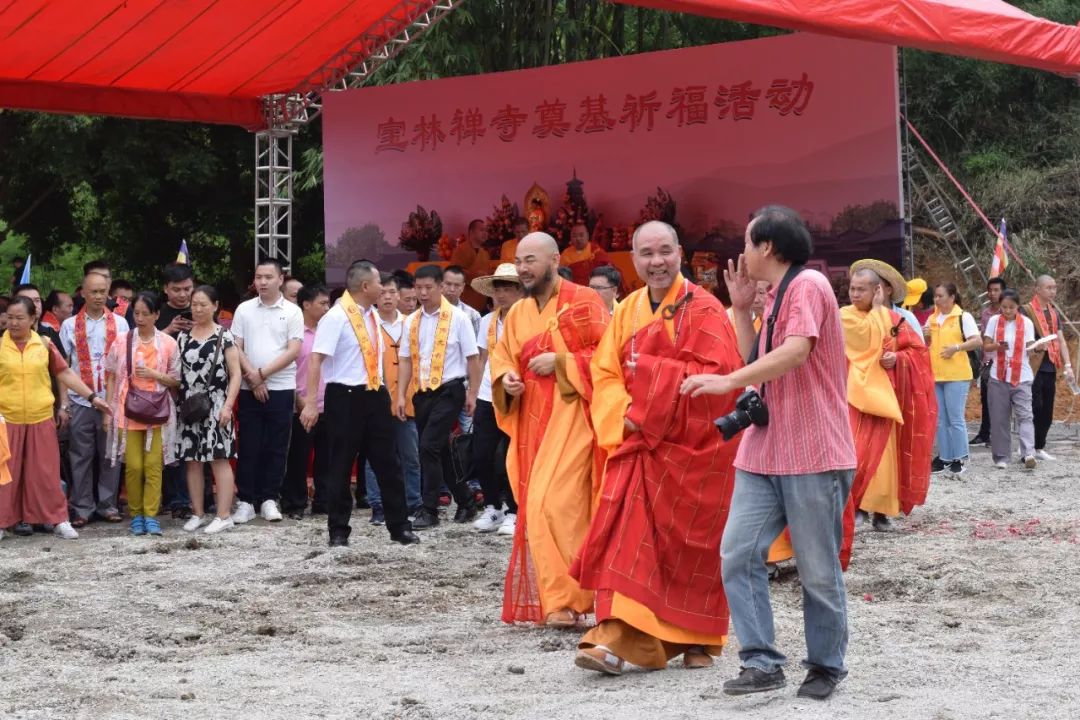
(553, 463)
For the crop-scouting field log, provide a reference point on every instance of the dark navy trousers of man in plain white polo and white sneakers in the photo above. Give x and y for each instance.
(262, 452)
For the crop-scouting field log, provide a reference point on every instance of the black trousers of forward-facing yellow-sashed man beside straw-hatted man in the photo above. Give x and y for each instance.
(437, 411)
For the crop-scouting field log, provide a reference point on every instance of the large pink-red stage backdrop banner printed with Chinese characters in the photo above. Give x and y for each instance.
(801, 120)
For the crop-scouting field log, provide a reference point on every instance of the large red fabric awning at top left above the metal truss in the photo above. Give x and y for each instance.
(208, 61)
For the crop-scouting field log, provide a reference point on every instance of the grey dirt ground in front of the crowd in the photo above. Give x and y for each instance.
(970, 610)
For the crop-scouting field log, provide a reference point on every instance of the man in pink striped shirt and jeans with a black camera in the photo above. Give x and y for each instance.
(795, 471)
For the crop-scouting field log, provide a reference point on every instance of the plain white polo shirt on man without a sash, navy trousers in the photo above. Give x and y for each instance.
(266, 332)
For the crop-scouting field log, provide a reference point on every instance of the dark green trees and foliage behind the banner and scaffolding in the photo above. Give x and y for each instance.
(74, 188)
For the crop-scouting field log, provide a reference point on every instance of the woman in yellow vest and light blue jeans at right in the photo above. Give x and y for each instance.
(951, 334)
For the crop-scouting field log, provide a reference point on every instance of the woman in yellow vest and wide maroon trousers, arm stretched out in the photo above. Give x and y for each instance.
(32, 493)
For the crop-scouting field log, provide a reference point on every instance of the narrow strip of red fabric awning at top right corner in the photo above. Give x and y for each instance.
(987, 30)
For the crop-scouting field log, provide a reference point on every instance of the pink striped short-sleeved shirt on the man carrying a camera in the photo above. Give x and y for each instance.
(808, 430)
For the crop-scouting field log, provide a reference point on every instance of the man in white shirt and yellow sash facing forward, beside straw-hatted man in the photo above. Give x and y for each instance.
(447, 358)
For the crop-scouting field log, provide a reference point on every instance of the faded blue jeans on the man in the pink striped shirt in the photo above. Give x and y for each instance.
(813, 509)
